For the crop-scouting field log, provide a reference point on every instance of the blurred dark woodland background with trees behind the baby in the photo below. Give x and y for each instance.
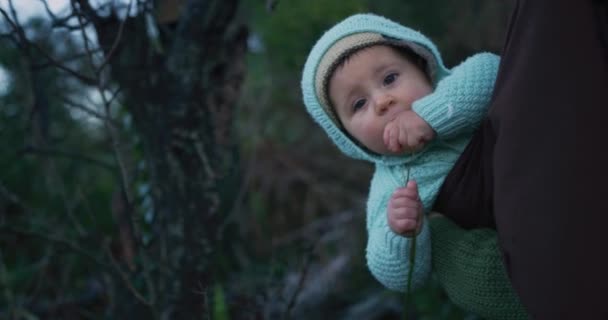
(157, 161)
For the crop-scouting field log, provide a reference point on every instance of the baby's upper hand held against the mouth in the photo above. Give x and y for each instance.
(407, 133)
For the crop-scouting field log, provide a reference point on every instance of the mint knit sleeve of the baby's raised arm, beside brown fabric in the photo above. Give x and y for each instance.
(461, 99)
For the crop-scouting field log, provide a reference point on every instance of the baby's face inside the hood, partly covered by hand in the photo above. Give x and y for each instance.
(371, 89)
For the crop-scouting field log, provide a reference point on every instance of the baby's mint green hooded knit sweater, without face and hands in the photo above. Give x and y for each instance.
(454, 109)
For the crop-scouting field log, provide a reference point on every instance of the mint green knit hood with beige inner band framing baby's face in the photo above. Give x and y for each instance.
(350, 35)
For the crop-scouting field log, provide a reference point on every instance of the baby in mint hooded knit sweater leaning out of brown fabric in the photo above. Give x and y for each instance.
(382, 94)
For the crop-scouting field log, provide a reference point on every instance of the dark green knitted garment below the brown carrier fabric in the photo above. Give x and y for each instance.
(469, 268)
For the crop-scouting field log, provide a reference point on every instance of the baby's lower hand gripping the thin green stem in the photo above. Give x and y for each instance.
(405, 210)
